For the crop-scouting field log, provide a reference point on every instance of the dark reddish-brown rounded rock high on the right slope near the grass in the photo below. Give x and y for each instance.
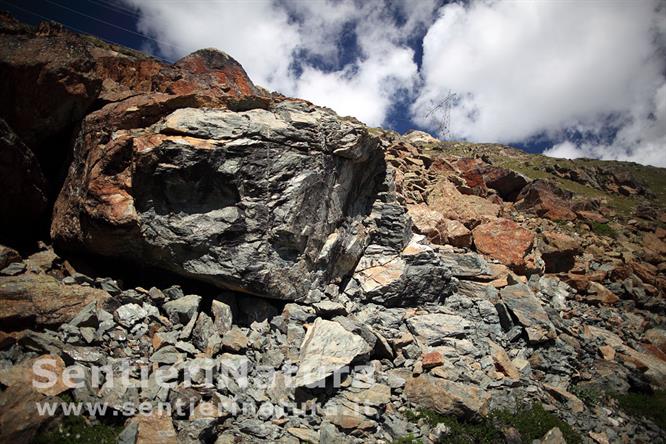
(545, 200)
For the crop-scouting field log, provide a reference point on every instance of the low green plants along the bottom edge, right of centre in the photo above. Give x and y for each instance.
(531, 421)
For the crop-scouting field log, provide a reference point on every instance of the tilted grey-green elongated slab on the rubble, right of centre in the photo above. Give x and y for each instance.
(529, 312)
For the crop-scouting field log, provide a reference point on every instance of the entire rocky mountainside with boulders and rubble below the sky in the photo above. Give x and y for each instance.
(300, 277)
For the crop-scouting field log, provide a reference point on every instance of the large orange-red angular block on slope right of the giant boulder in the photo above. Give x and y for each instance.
(505, 241)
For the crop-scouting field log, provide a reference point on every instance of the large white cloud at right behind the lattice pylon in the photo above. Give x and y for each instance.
(550, 69)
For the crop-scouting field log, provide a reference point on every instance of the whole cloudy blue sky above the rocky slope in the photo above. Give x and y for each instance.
(571, 78)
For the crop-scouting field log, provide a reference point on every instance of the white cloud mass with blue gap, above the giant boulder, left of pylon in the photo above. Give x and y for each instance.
(295, 47)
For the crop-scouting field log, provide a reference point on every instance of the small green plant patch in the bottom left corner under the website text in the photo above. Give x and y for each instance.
(76, 430)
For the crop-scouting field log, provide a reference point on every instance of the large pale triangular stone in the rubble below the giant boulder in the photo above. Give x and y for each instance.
(327, 348)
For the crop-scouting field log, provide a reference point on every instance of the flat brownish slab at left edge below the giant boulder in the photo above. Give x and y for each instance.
(42, 299)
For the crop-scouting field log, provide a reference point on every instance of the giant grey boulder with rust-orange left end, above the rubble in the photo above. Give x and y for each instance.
(257, 201)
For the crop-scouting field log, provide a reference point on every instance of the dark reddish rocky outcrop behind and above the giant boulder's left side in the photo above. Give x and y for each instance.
(51, 78)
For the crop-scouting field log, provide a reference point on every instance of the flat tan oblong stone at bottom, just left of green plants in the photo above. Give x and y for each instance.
(446, 397)
